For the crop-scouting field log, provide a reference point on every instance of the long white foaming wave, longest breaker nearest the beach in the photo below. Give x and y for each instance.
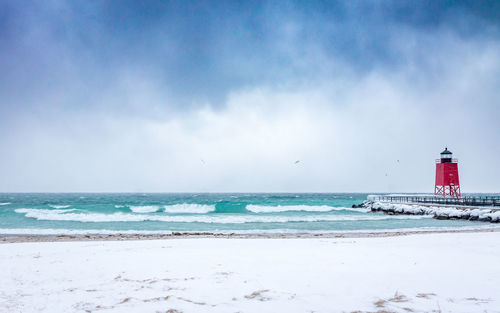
(53, 215)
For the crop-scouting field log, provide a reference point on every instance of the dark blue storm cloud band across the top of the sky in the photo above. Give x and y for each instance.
(200, 51)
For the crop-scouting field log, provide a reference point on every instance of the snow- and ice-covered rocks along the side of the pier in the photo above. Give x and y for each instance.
(438, 211)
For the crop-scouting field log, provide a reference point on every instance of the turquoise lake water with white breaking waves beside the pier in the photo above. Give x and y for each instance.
(225, 213)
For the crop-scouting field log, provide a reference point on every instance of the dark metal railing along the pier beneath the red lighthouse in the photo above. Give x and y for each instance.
(467, 200)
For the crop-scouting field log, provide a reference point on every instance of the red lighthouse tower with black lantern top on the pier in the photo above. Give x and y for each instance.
(447, 183)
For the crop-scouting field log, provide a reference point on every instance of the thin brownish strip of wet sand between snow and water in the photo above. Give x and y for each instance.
(5, 239)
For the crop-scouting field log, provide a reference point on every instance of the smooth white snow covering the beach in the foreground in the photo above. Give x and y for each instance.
(450, 272)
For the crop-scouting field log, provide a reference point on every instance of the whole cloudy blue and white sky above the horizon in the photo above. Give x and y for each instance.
(227, 96)
